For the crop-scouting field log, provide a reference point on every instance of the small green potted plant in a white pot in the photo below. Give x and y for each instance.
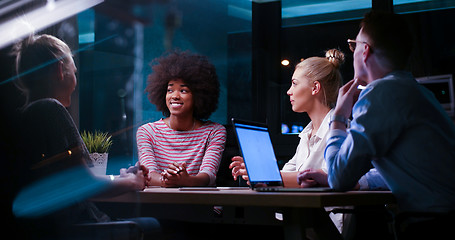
(98, 145)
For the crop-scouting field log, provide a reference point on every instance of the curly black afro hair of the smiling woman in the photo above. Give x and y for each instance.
(195, 71)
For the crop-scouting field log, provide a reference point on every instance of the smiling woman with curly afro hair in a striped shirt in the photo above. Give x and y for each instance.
(184, 148)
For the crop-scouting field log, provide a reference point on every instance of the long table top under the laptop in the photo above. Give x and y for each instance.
(247, 197)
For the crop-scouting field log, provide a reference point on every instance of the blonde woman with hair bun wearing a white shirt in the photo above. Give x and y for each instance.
(314, 90)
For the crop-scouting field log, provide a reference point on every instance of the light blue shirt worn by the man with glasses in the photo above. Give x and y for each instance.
(402, 130)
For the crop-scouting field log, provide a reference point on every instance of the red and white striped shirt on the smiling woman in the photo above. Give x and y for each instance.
(201, 148)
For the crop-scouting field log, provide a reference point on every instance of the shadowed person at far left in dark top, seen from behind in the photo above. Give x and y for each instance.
(52, 150)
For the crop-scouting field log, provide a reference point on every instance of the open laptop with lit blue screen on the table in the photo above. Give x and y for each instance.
(260, 162)
